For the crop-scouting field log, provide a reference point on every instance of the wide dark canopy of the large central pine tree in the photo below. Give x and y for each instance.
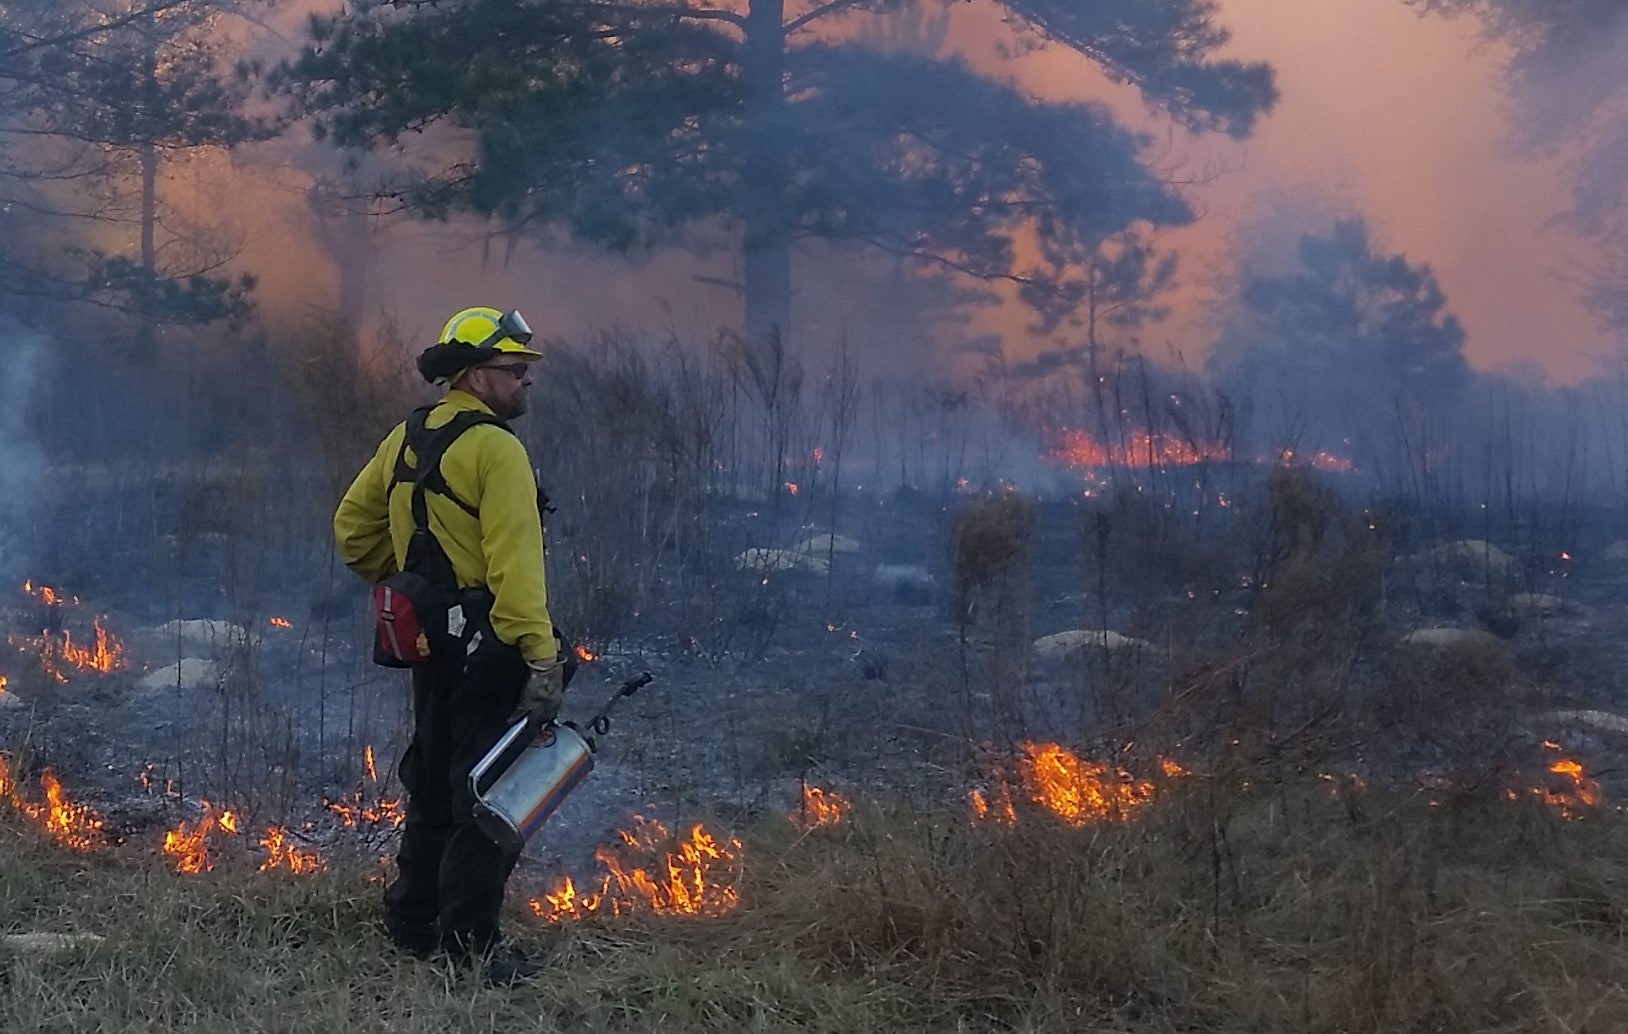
(631, 123)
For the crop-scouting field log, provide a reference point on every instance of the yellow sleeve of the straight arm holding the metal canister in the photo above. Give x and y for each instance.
(512, 541)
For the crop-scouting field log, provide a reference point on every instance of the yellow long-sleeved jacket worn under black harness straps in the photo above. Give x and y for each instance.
(502, 551)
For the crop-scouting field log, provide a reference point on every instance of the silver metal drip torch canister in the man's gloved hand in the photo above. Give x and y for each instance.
(520, 799)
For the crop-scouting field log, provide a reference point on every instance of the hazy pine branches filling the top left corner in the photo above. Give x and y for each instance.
(94, 99)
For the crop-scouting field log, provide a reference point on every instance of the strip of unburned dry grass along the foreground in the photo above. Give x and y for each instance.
(1292, 908)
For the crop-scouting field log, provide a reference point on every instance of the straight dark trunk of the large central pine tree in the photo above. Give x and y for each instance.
(768, 232)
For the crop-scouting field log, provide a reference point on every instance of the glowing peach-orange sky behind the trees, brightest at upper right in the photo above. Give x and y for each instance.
(1389, 115)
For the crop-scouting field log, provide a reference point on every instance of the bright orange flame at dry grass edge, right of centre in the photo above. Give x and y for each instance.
(1075, 791)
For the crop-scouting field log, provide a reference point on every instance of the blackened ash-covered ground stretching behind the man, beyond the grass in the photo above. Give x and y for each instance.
(898, 660)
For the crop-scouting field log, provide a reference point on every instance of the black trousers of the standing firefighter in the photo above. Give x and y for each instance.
(450, 875)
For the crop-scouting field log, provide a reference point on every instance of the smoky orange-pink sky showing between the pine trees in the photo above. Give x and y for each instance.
(1399, 118)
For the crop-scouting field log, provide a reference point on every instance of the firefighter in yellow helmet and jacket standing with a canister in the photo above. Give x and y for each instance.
(450, 877)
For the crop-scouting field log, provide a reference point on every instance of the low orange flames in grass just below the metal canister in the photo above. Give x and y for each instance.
(694, 875)
